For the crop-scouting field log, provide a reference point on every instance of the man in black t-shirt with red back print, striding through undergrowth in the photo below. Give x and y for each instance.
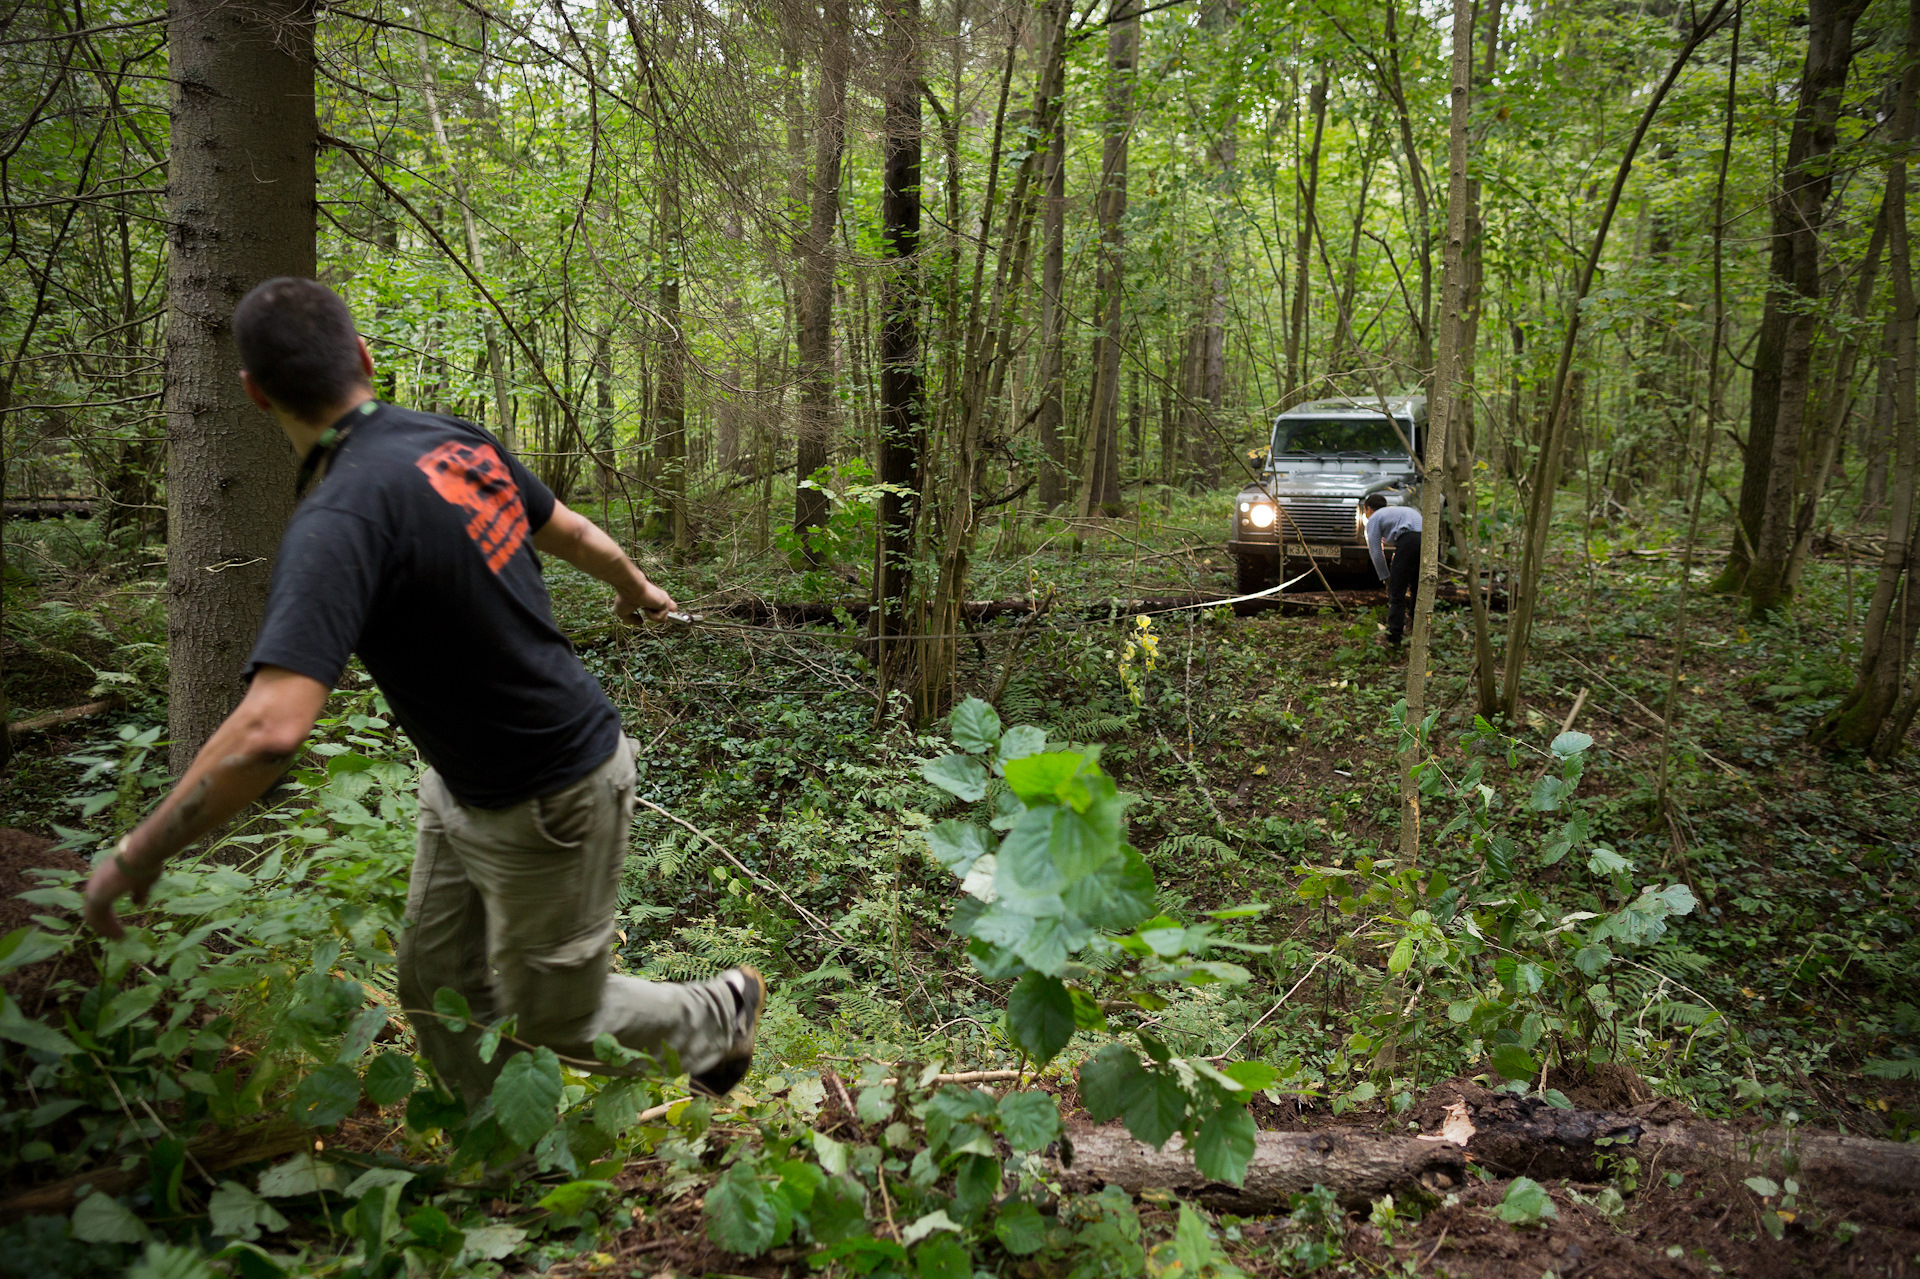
(418, 552)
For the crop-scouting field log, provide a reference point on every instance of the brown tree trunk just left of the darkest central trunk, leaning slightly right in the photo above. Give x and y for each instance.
(815, 333)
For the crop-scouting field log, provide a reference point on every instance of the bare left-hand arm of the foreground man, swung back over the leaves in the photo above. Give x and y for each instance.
(245, 756)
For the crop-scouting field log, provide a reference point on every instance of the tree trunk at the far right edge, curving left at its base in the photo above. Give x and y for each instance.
(1875, 715)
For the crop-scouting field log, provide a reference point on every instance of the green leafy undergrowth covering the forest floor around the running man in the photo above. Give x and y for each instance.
(1748, 952)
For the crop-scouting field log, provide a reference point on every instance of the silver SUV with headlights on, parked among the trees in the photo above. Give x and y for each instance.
(1305, 508)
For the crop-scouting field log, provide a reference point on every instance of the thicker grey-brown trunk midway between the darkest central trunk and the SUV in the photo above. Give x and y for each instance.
(1101, 493)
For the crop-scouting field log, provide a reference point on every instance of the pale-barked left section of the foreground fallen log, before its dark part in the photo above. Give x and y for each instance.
(1358, 1167)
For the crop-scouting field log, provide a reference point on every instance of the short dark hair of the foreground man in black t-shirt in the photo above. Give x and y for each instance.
(299, 343)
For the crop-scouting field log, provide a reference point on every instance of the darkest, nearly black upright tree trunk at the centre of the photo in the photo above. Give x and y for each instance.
(901, 429)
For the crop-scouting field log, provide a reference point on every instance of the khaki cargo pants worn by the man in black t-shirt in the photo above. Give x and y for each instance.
(514, 909)
